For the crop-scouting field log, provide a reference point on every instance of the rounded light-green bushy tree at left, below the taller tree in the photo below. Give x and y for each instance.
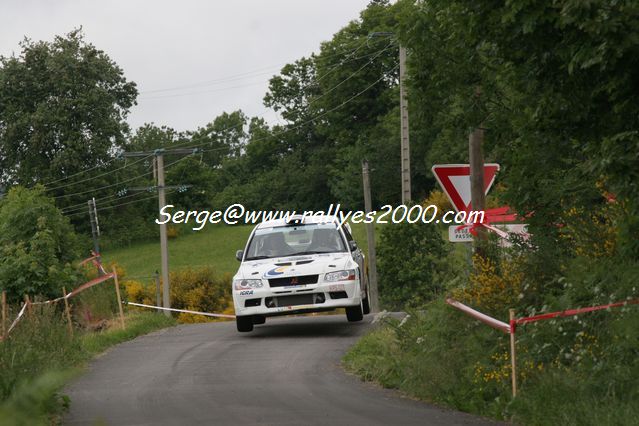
(37, 245)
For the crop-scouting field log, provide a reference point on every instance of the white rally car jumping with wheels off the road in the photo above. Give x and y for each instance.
(299, 265)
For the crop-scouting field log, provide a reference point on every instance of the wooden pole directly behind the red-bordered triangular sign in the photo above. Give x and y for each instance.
(477, 192)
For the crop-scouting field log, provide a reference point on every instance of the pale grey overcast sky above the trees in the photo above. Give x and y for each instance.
(191, 59)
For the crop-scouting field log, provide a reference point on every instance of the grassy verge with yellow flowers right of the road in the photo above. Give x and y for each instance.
(443, 357)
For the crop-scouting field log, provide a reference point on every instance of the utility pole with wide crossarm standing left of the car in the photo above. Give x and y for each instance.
(164, 247)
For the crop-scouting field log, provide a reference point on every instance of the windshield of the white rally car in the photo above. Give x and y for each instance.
(295, 240)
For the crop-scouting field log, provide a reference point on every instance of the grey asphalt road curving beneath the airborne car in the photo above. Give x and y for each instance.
(286, 372)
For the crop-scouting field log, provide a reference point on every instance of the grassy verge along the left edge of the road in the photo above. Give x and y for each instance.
(40, 357)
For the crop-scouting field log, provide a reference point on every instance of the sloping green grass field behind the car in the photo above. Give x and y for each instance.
(214, 246)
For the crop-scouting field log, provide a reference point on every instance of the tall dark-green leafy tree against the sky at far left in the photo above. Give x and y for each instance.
(63, 106)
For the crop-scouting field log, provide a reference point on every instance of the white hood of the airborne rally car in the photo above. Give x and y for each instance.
(292, 266)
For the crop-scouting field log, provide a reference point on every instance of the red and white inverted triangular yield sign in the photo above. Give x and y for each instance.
(455, 181)
